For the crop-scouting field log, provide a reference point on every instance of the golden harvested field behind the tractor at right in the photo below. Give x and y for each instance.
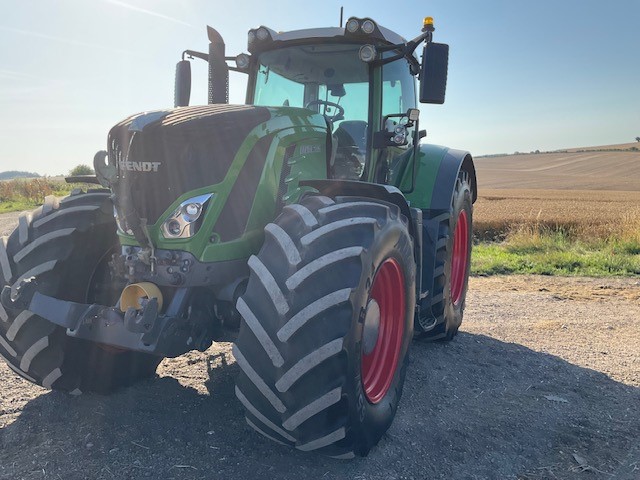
(589, 195)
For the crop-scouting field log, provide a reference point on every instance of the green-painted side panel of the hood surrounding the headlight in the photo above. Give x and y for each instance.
(286, 127)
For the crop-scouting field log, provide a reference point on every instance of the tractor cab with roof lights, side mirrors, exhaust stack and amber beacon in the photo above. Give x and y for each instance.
(361, 78)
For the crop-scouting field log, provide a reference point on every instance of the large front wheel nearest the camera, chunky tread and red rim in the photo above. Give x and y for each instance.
(316, 371)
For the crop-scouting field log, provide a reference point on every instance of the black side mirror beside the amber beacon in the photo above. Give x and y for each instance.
(433, 75)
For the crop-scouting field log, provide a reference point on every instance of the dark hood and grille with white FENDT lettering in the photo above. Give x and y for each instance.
(161, 155)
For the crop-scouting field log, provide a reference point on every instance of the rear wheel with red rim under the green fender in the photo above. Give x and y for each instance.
(452, 266)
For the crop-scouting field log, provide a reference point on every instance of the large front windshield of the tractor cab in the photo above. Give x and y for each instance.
(327, 79)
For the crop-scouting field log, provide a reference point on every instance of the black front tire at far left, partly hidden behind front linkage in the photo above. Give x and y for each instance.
(66, 246)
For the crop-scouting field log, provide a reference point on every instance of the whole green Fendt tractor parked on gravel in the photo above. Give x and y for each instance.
(311, 221)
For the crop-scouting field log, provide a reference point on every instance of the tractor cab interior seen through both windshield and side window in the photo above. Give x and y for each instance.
(330, 79)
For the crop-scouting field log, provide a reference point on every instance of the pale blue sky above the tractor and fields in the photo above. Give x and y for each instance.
(523, 75)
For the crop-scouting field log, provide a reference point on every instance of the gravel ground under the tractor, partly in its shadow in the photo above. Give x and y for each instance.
(543, 382)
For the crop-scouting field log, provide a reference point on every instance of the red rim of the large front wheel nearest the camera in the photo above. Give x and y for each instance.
(379, 364)
